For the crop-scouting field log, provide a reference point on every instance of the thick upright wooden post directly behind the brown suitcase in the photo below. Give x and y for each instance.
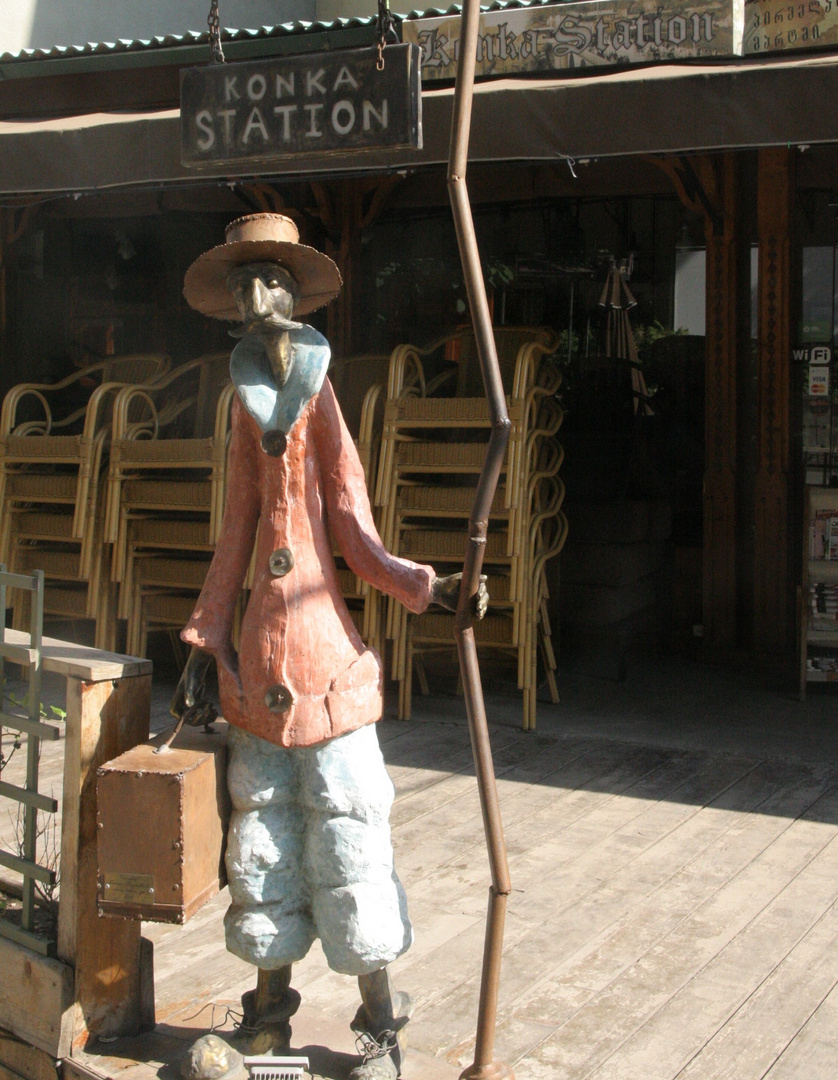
(104, 720)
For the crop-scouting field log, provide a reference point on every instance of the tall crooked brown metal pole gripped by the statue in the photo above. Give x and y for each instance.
(485, 1068)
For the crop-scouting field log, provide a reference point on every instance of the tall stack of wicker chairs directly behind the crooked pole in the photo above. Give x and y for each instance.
(432, 452)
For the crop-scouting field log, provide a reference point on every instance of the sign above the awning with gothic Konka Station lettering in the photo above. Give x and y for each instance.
(570, 36)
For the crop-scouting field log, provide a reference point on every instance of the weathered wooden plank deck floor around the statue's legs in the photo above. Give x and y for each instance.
(673, 916)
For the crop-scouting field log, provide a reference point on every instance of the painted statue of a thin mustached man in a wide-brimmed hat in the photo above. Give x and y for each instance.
(309, 853)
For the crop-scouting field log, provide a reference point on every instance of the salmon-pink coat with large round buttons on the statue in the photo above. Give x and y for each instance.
(304, 676)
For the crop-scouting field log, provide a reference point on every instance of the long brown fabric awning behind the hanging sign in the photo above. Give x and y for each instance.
(661, 110)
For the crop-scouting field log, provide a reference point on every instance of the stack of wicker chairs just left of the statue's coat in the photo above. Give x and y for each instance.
(166, 494)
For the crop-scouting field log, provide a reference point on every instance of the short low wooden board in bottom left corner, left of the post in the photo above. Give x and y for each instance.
(36, 1000)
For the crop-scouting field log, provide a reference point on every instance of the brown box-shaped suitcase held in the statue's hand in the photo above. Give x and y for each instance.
(163, 826)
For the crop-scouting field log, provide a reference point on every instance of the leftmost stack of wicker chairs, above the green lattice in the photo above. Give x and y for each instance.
(55, 443)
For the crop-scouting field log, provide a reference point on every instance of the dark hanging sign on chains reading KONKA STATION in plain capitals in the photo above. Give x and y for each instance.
(321, 103)
